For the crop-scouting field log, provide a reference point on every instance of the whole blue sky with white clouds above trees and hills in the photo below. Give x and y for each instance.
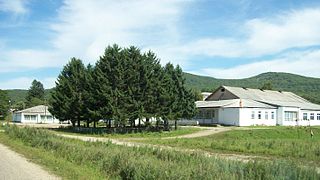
(229, 39)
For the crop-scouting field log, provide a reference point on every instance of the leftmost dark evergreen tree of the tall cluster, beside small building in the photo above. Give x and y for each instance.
(67, 101)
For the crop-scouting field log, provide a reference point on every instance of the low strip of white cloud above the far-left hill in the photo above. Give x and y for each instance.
(25, 83)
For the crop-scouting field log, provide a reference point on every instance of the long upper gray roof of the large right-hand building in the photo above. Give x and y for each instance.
(274, 98)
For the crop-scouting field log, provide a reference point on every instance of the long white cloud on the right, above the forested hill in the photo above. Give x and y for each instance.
(267, 36)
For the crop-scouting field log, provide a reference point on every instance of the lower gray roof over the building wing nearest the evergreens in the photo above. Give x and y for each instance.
(232, 103)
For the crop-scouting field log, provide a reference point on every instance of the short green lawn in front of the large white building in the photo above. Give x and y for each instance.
(288, 142)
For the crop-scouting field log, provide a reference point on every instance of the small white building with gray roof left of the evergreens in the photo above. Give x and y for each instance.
(37, 114)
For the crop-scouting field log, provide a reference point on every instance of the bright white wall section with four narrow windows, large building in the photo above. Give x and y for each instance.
(246, 119)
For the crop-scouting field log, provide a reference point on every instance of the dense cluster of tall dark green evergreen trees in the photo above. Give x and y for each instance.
(123, 86)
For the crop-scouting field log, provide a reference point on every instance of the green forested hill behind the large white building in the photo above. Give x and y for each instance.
(306, 87)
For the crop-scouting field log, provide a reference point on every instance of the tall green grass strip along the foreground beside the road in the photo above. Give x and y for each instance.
(121, 162)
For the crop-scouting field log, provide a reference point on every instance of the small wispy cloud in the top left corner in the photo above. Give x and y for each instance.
(17, 7)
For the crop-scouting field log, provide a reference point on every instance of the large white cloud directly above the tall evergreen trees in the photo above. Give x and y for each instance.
(85, 28)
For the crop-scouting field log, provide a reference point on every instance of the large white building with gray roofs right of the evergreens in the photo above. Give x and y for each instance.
(245, 107)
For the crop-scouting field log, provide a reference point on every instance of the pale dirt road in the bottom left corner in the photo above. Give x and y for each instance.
(14, 166)
